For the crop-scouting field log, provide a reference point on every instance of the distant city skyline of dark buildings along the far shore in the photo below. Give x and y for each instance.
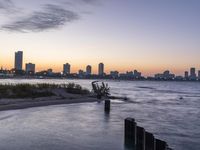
(30, 69)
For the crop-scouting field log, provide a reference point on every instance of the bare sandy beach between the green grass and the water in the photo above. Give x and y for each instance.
(60, 97)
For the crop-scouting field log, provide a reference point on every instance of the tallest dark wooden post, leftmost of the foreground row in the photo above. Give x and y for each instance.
(130, 133)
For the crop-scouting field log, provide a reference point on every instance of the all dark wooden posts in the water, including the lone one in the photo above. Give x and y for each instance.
(136, 138)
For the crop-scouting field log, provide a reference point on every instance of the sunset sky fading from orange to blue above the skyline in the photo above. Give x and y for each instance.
(150, 36)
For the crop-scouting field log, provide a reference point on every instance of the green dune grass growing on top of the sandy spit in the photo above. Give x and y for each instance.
(38, 90)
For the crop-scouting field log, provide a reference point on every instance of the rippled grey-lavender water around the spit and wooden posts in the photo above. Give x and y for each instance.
(155, 105)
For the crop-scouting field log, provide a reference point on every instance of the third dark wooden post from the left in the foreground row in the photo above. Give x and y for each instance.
(149, 141)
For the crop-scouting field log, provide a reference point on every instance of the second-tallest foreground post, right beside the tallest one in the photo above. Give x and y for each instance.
(140, 138)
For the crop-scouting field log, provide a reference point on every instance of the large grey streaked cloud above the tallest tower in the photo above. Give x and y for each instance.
(51, 17)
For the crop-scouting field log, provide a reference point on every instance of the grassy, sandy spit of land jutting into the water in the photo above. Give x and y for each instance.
(23, 96)
